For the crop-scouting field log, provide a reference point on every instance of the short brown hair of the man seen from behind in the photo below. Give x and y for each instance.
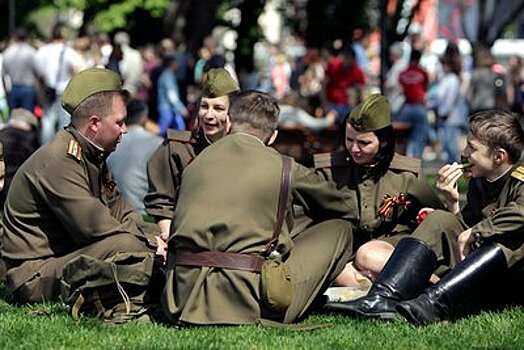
(255, 113)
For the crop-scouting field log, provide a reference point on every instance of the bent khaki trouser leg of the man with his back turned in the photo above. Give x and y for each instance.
(319, 255)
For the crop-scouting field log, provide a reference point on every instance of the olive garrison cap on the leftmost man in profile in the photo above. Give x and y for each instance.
(87, 83)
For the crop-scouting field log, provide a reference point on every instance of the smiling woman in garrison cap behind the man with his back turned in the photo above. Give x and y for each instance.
(180, 147)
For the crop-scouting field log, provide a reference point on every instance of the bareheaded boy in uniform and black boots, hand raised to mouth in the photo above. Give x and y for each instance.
(489, 231)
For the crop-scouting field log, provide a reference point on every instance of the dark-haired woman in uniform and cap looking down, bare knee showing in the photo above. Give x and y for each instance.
(389, 189)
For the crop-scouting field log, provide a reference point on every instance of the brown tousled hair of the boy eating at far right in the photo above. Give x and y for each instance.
(498, 129)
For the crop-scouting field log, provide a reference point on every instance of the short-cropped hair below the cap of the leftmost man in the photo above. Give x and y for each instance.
(100, 104)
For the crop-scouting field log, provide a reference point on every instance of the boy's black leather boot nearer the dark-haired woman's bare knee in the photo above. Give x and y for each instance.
(404, 276)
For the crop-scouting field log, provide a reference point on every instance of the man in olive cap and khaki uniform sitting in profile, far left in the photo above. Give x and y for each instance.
(63, 201)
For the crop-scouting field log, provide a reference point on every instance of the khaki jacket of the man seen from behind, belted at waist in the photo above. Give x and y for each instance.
(228, 202)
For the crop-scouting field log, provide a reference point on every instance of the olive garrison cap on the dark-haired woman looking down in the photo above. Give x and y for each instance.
(372, 114)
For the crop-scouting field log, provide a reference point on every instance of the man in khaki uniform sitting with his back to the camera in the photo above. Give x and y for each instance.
(227, 210)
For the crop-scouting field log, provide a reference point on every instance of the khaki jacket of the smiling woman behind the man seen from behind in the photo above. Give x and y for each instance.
(164, 170)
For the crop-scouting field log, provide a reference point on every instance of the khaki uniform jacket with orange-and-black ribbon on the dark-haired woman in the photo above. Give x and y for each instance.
(367, 194)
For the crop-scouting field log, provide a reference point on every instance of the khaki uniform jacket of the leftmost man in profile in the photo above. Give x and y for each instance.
(62, 199)
